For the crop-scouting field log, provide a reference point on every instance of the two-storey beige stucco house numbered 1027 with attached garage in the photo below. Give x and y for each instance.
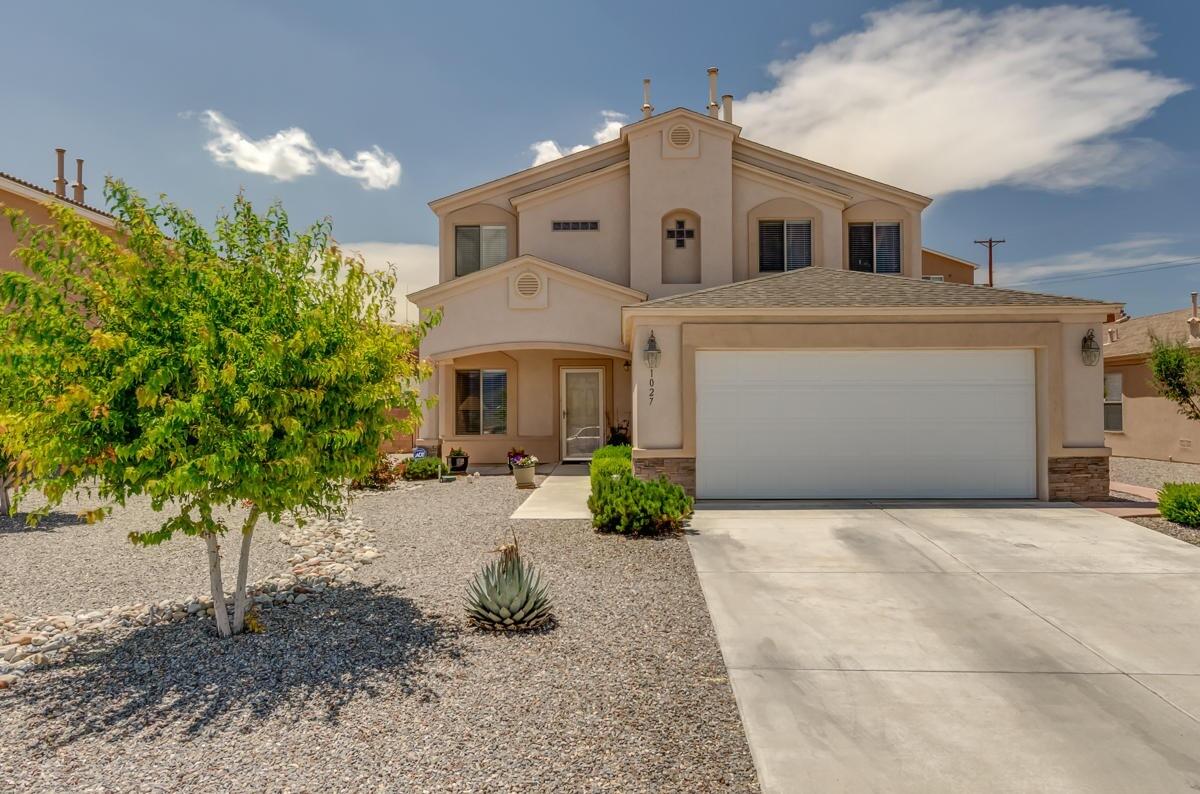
(760, 321)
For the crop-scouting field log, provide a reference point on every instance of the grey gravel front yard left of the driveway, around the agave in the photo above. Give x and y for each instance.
(380, 685)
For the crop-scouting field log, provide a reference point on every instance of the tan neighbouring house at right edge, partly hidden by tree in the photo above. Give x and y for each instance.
(1138, 423)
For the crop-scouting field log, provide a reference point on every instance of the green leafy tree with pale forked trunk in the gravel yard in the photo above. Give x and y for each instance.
(248, 366)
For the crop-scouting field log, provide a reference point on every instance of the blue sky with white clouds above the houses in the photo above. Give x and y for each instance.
(1067, 131)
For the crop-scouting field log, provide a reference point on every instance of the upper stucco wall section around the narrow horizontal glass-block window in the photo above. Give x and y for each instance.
(603, 254)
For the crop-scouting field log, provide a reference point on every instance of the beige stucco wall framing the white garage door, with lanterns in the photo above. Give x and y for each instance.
(668, 428)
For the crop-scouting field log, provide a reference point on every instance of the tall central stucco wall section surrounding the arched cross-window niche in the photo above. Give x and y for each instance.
(663, 181)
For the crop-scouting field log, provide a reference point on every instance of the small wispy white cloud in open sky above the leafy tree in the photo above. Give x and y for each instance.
(292, 153)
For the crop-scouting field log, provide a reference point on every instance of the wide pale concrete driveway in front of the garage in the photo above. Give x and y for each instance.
(956, 647)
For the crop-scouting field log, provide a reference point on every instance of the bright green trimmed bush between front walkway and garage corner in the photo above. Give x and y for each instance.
(622, 503)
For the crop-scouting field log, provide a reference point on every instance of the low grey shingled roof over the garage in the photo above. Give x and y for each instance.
(829, 288)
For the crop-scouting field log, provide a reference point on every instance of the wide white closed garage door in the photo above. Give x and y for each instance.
(866, 424)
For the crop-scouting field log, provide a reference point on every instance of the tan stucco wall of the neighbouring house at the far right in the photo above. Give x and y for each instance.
(1154, 428)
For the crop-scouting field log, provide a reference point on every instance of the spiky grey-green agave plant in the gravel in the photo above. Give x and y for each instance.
(508, 594)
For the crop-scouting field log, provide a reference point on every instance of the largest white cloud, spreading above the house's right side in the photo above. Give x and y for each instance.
(955, 100)
